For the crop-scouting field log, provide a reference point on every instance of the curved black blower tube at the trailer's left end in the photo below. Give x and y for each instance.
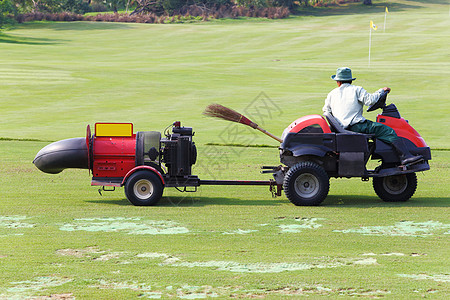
(64, 154)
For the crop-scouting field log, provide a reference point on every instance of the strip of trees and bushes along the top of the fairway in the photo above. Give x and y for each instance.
(12, 11)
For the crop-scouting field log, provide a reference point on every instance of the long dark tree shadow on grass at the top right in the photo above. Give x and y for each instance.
(355, 8)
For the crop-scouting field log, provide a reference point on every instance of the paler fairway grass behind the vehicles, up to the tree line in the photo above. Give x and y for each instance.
(58, 77)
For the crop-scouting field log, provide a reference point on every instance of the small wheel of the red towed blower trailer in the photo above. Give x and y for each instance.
(144, 188)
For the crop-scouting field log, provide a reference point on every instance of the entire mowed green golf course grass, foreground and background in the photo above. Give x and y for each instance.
(60, 237)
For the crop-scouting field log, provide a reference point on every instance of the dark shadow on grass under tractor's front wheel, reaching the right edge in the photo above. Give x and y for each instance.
(359, 201)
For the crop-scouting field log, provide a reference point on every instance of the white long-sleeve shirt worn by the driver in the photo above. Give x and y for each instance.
(346, 103)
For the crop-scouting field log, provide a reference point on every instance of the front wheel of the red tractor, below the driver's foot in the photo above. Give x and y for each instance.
(397, 188)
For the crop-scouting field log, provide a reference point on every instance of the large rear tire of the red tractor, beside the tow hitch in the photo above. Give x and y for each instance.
(306, 184)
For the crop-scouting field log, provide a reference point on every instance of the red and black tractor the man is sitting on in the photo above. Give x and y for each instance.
(314, 150)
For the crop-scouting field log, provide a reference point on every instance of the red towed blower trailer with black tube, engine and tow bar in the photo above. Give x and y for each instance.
(144, 163)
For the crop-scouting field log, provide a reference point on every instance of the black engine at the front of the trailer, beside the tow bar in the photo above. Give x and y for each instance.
(178, 151)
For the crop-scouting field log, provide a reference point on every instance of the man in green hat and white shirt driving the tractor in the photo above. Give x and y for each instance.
(346, 104)
